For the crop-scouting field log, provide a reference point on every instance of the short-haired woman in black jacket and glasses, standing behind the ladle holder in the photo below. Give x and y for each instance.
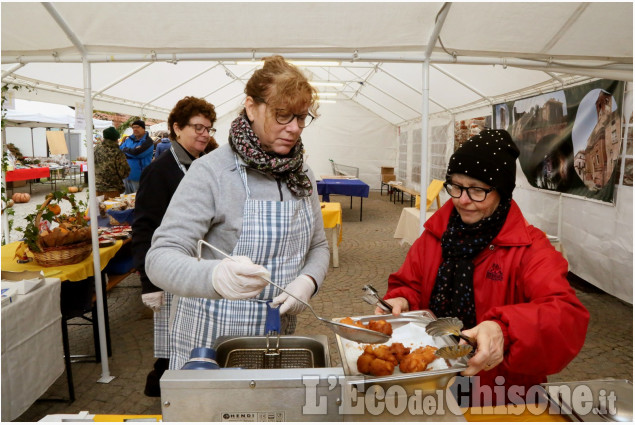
(191, 127)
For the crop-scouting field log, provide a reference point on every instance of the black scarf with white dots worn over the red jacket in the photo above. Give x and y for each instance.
(453, 292)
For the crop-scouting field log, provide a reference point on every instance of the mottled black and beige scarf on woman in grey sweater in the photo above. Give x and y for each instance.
(245, 143)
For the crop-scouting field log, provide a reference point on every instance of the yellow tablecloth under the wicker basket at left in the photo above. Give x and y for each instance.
(73, 272)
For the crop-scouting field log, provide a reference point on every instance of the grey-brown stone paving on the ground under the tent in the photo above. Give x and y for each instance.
(368, 254)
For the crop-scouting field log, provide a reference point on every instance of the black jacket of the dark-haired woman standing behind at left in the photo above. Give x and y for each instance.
(158, 183)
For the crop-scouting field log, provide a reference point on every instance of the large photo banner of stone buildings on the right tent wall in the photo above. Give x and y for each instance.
(570, 140)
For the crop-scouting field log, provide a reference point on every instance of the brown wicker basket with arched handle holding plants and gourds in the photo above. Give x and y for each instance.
(60, 255)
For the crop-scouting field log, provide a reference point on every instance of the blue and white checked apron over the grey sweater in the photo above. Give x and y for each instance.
(274, 234)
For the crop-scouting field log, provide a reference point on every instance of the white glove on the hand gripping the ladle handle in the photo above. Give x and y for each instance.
(240, 279)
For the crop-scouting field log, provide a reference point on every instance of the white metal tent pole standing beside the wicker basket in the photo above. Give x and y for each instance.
(92, 201)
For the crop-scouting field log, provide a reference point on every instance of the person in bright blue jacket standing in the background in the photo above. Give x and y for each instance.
(139, 148)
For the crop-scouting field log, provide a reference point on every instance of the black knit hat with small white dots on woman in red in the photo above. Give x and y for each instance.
(490, 157)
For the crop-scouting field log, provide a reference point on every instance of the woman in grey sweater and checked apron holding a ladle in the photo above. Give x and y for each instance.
(256, 200)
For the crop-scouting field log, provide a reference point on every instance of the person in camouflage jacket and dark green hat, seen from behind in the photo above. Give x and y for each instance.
(111, 166)
